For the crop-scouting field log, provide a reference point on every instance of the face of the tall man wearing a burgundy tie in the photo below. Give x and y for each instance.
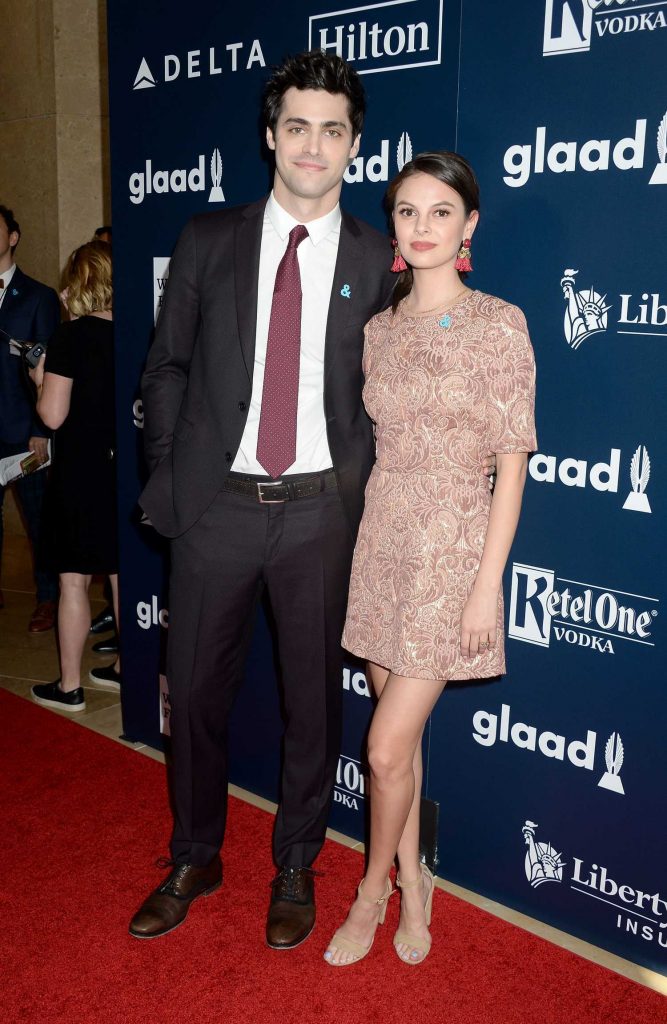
(314, 144)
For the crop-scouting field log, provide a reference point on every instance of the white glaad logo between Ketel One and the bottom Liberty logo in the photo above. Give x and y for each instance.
(489, 730)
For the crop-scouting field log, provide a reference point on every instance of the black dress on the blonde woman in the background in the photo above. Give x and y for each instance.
(81, 523)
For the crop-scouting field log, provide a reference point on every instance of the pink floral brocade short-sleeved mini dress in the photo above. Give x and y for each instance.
(444, 393)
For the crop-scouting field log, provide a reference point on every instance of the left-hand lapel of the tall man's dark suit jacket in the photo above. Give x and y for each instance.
(247, 246)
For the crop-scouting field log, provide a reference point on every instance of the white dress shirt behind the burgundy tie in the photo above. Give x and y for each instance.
(317, 257)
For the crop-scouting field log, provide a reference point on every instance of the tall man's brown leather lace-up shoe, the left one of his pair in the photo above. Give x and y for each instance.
(169, 906)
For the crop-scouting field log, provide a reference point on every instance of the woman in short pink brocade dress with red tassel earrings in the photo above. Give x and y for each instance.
(450, 377)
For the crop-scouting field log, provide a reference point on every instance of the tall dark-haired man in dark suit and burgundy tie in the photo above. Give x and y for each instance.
(260, 450)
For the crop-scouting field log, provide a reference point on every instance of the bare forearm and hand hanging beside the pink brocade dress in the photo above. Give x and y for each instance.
(480, 615)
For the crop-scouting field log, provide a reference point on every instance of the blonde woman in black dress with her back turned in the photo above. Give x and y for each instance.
(75, 398)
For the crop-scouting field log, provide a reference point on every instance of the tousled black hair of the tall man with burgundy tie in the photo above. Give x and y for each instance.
(316, 70)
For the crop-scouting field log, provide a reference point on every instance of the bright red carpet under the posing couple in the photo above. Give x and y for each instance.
(89, 819)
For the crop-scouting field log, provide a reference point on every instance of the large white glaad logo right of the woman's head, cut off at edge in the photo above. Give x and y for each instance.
(627, 154)
